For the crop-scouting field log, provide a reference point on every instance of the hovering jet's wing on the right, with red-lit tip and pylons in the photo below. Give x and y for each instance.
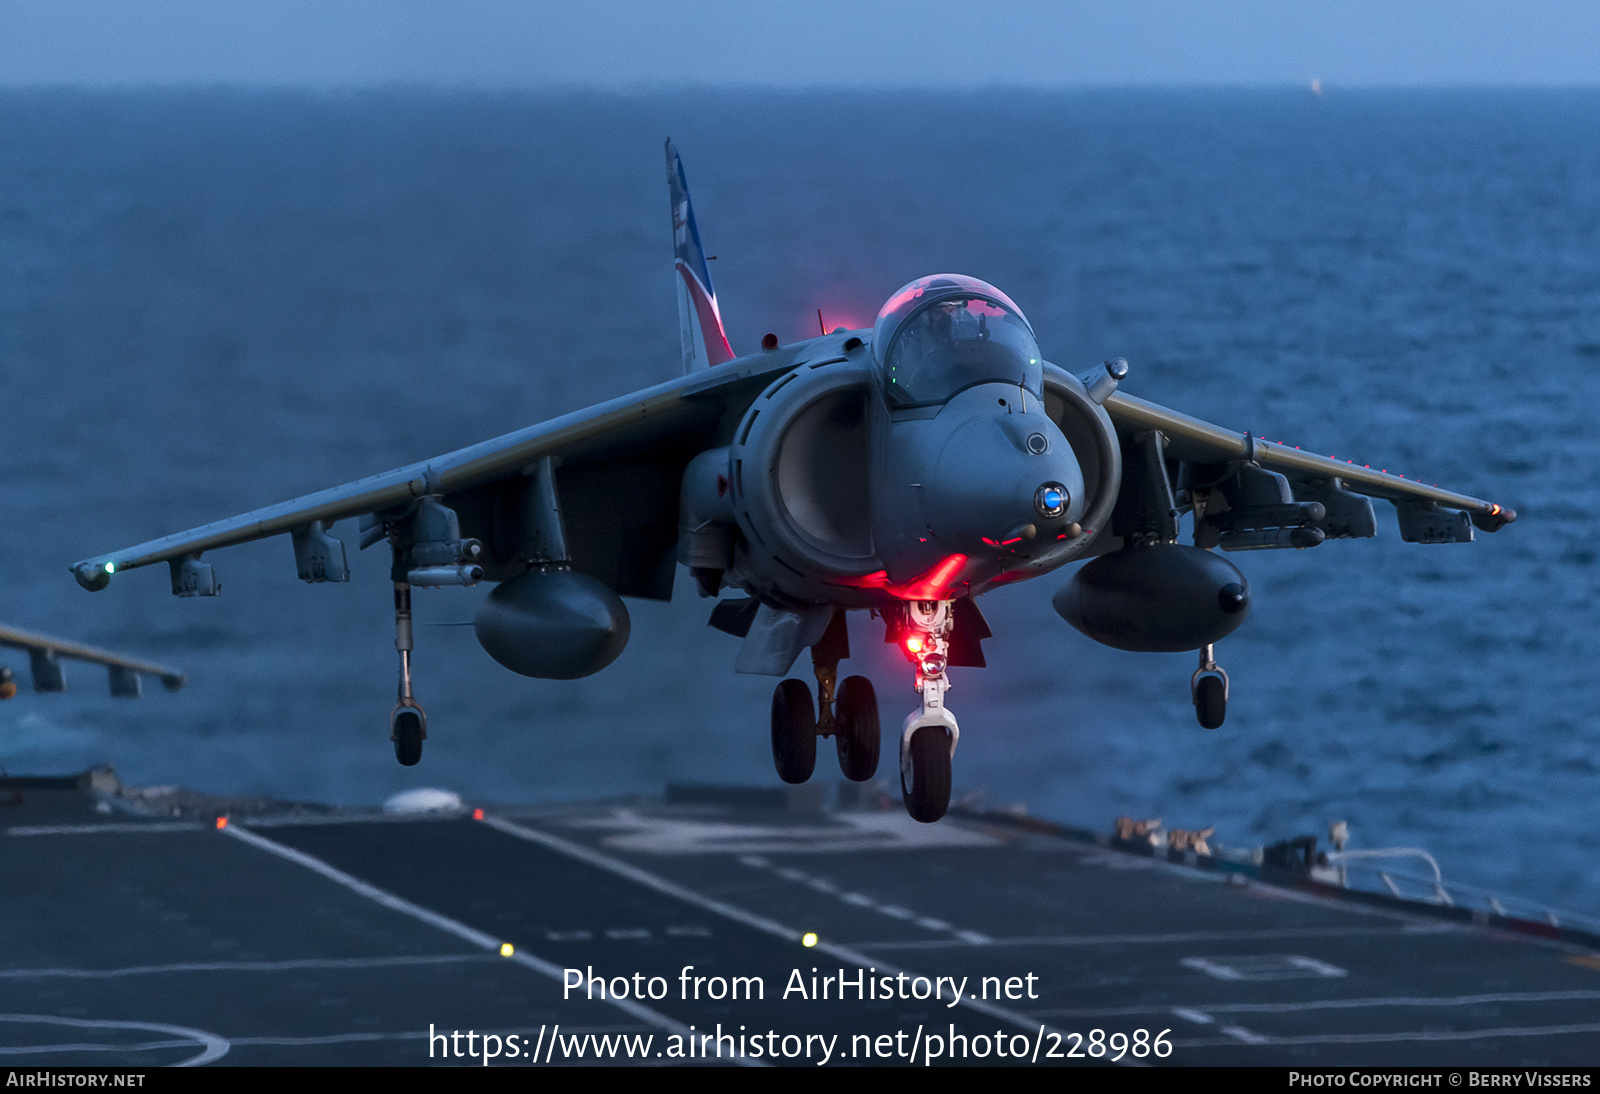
(1266, 489)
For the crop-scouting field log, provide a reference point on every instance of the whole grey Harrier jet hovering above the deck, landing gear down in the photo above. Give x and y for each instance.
(902, 471)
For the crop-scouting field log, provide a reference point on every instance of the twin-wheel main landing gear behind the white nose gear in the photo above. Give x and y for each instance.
(849, 714)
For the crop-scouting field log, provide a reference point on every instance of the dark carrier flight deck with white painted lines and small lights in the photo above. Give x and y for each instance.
(162, 927)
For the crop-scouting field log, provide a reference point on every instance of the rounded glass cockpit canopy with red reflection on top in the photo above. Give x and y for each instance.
(945, 333)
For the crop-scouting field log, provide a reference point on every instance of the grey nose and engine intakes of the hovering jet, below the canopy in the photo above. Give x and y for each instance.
(828, 497)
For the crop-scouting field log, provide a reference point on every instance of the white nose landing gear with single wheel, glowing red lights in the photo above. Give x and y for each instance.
(930, 735)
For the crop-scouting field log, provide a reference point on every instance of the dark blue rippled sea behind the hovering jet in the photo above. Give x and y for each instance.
(217, 300)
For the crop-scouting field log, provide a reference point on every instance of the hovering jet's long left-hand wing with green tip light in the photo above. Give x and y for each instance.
(620, 469)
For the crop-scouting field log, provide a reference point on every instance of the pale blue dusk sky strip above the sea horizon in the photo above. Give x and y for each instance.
(626, 44)
